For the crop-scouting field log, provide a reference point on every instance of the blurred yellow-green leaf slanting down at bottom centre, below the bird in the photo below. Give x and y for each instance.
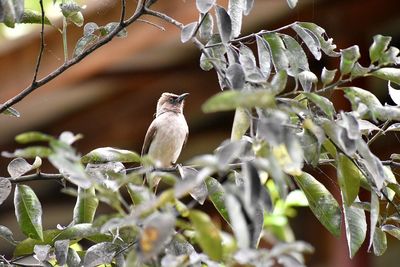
(207, 234)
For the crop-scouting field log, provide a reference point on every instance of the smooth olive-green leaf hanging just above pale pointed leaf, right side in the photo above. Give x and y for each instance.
(349, 179)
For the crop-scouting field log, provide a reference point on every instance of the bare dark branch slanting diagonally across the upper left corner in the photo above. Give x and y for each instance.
(69, 63)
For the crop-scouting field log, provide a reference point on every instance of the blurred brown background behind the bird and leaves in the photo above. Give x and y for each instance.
(111, 96)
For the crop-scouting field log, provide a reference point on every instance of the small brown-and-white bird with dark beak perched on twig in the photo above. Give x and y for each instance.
(167, 133)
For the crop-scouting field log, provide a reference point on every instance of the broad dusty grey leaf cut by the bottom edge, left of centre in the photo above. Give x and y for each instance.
(102, 253)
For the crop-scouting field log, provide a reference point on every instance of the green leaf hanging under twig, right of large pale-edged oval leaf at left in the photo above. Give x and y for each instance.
(86, 205)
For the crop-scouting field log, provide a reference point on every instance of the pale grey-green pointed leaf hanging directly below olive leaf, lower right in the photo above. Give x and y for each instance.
(356, 228)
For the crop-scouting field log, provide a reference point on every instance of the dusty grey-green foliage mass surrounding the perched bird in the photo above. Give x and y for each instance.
(284, 122)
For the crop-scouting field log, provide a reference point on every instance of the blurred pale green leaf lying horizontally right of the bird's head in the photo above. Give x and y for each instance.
(230, 100)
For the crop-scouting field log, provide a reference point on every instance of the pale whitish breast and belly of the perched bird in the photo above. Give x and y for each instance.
(169, 138)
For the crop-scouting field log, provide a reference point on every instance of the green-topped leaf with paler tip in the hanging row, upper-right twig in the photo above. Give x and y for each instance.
(277, 49)
